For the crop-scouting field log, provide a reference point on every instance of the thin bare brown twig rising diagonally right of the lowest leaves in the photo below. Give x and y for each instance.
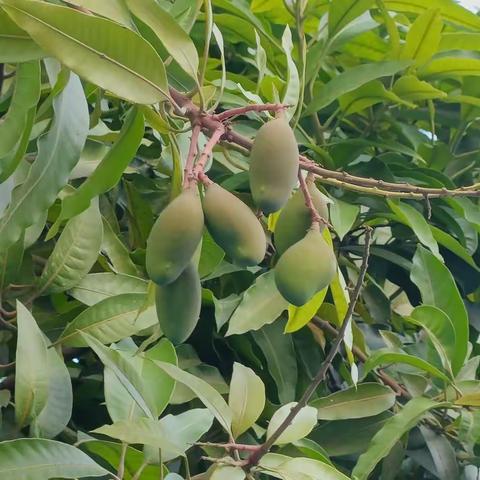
(255, 457)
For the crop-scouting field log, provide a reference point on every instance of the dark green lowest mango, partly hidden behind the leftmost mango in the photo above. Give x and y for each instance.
(178, 305)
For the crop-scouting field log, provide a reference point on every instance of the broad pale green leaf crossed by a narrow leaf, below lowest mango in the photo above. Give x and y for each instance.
(155, 381)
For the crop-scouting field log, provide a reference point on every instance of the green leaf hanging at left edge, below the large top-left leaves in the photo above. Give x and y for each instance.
(25, 97)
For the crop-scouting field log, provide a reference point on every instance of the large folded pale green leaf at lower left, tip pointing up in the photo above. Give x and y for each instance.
(43, 391)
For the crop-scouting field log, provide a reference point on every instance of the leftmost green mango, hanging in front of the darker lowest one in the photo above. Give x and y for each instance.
(175, 237)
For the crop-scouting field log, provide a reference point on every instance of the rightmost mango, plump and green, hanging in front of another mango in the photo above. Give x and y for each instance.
(305, 268)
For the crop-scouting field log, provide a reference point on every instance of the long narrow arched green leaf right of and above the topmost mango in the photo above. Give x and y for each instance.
(351, 79)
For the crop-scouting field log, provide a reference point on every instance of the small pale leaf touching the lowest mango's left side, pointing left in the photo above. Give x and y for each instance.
(96, 287)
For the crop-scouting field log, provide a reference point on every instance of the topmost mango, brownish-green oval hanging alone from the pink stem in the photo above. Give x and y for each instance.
(273, 165)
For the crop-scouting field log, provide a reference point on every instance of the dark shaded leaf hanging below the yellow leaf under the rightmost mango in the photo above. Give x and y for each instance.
(279, 352)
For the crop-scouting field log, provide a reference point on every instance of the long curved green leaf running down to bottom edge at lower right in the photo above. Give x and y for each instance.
(390, 433)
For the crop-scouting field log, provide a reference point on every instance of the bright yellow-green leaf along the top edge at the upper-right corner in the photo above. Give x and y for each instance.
(449, 10)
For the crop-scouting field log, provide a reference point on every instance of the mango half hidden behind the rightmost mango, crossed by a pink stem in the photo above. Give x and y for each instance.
(295, 218)
